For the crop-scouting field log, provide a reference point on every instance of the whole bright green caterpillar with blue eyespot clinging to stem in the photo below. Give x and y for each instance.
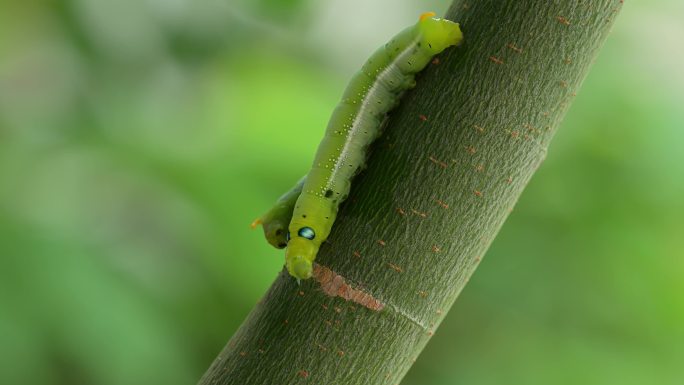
(308, 211)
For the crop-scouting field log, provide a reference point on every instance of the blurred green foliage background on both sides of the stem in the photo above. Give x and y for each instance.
(138, 139)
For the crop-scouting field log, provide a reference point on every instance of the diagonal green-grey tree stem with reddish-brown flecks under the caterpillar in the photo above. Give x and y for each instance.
(451, 164)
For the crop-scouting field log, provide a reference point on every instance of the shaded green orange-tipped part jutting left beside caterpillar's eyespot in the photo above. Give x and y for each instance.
(276, 221)
